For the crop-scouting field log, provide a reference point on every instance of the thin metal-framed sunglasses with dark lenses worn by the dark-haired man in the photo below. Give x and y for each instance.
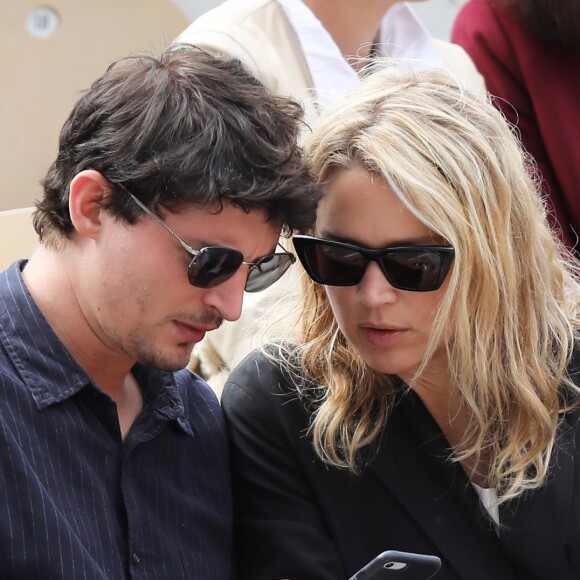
(214, 265)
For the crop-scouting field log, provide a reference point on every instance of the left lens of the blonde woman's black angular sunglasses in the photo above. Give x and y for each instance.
(332, 265)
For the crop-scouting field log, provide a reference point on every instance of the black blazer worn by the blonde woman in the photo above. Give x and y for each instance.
(298, 518)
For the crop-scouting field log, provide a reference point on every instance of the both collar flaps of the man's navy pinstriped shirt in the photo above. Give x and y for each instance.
(46, 366)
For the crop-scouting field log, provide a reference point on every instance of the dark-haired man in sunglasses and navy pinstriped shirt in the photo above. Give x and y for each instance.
(175, 175)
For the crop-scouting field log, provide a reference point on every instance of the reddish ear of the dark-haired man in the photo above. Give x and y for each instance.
(88, 190)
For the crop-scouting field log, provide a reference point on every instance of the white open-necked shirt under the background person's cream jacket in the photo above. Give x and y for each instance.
(401, 35)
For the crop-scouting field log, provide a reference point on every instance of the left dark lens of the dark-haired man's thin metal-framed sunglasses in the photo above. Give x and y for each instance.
(212, 266)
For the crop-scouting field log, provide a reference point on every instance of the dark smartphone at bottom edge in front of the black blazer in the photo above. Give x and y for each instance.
(393, 565)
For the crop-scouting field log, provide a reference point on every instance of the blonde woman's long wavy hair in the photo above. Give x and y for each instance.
(509, 318)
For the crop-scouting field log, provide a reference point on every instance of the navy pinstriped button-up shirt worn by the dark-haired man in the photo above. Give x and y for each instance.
(76, 501)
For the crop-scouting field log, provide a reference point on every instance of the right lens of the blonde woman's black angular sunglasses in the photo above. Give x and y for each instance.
(413, 270)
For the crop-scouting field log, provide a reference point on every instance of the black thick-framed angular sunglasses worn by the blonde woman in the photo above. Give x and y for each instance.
(412, 268)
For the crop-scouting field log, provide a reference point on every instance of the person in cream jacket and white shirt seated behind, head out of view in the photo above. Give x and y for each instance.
(309, 49)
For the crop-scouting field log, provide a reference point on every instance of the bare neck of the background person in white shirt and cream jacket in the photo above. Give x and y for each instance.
(354, 25)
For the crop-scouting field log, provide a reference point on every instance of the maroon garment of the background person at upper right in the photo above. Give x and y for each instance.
(539, 89)
